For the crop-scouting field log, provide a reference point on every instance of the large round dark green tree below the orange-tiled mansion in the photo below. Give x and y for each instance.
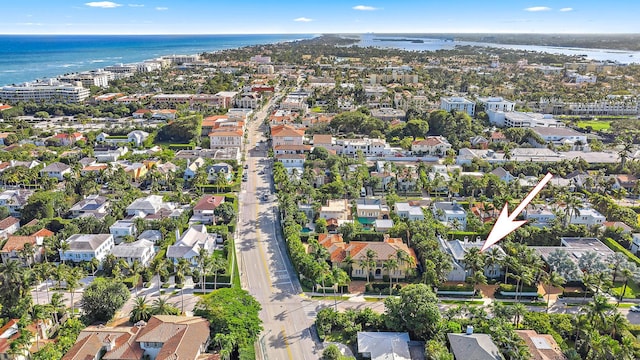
(415, 311)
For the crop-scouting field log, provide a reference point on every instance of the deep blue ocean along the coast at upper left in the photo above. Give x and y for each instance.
(30, 57)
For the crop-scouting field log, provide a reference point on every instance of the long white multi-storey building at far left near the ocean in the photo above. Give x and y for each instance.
(39, 92)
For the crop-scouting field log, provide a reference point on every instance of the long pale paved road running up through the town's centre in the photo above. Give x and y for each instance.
(265, 269)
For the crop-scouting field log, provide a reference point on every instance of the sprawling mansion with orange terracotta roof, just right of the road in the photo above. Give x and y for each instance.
(357, 250)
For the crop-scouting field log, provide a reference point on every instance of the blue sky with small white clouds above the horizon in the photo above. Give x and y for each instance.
(327, 16)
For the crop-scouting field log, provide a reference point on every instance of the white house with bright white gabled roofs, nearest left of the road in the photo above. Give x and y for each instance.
(189, 245)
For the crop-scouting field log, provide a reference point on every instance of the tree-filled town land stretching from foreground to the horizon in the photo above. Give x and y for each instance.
(299, 194)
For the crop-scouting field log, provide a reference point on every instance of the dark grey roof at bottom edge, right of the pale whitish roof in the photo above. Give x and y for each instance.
(473, 347)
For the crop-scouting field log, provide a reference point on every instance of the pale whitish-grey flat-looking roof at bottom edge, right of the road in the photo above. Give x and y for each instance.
(384, 345)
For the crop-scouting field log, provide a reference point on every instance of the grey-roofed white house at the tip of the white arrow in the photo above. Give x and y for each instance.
(457, 250)
